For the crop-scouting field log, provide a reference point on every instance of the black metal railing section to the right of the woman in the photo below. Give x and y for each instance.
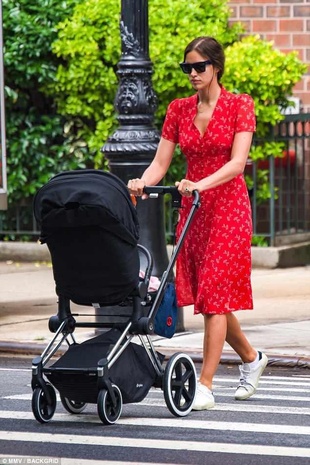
(285, 217)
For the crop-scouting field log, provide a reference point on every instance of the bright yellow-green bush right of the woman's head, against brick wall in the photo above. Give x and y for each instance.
(254, 67)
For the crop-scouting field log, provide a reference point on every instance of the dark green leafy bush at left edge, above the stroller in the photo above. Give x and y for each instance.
(37, 147)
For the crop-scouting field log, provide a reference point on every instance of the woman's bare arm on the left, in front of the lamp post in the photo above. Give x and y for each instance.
(157, 169)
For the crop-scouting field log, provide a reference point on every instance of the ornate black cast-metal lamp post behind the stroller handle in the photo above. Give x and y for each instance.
(133, 145)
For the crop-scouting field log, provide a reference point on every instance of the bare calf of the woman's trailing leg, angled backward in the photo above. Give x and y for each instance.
(237, 340)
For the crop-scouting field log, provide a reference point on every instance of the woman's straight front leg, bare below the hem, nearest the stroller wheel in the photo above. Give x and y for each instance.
(214, 338)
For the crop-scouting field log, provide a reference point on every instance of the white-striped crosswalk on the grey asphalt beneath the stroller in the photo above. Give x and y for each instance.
(280, 410)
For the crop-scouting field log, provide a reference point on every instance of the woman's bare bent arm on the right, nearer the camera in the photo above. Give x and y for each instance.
(236, 164)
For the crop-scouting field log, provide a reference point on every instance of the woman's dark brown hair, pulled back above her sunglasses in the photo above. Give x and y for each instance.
(211, 49)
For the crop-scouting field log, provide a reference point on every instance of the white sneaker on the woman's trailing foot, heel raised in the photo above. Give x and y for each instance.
(249, 378)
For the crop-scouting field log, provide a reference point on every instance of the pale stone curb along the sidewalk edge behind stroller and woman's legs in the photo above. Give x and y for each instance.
(228, 358)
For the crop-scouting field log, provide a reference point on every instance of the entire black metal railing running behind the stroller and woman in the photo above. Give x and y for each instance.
(284, 218)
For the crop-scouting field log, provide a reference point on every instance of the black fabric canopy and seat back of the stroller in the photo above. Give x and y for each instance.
(91, 228)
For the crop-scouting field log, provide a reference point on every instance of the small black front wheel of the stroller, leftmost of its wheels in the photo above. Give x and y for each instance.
(43, 410)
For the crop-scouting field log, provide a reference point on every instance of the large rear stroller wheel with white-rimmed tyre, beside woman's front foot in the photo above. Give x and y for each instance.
(179, 384)
